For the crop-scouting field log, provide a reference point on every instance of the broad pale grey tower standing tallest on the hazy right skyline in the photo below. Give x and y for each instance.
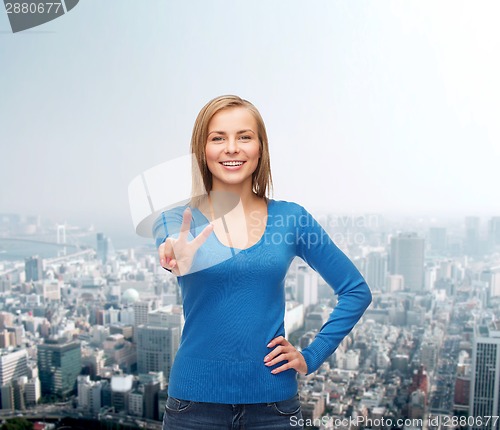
(407, 259)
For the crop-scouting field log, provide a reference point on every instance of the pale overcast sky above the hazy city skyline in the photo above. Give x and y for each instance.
(370, 106)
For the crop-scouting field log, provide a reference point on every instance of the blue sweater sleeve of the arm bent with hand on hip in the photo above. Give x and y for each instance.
(318, 250)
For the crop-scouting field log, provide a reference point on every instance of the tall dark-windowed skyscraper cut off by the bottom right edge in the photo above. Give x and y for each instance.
(485, 375)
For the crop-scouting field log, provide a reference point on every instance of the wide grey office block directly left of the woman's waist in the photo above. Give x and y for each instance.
(156, 348)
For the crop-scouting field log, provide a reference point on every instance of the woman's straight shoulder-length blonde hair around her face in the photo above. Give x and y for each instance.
(202, 177)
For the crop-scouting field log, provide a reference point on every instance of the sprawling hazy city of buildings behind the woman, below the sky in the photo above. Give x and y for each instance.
(89, 332)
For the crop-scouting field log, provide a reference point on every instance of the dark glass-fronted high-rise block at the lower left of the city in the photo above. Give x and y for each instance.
(59, 364)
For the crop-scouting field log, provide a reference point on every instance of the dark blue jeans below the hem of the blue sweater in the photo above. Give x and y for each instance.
(189, 415)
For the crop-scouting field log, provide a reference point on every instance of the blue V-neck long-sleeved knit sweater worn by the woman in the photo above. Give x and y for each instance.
(234, 304)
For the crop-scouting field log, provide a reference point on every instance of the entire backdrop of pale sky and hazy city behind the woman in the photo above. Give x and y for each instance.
(383, 122)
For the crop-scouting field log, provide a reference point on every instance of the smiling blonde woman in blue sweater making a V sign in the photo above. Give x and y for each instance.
(230, 248)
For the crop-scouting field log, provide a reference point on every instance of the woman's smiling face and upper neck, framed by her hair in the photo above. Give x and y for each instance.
(232, 148)
